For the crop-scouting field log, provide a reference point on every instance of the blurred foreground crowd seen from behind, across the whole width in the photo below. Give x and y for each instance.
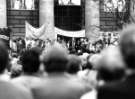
(58, 74)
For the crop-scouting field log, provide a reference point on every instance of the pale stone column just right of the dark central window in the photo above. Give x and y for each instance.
(92, 19)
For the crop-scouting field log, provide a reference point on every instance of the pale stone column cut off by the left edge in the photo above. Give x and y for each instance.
(3, 14)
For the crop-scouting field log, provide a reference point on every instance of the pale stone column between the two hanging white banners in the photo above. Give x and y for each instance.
(46, 16)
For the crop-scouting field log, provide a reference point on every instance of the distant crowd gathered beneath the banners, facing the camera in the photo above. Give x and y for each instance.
(76, 46)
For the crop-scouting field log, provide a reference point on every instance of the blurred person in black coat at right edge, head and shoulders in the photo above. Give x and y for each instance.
(123, 89)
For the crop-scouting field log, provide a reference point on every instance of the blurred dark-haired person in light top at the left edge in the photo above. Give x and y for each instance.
(7, 89)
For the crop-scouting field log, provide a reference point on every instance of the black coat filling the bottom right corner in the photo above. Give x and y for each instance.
(118, 90)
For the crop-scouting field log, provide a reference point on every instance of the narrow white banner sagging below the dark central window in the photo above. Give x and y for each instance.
(70, 33)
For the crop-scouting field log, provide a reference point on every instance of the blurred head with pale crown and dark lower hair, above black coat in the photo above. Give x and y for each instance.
(111, 66)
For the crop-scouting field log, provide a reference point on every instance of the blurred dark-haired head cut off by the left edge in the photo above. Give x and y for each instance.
(3, 57)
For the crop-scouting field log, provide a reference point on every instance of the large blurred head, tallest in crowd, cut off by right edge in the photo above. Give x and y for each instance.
(127, 45)
